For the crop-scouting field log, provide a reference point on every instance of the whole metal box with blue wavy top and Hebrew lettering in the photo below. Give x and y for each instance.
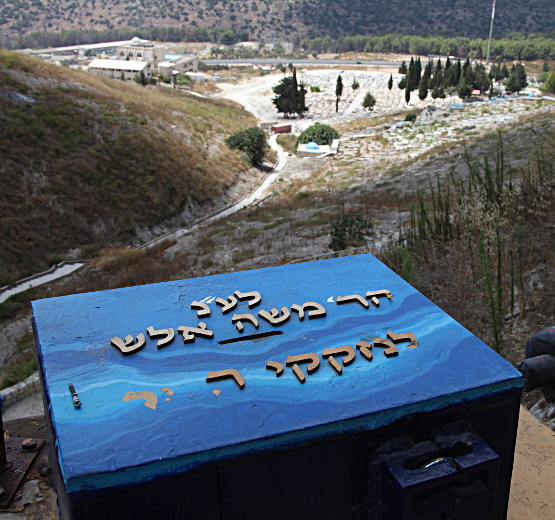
(329, 389)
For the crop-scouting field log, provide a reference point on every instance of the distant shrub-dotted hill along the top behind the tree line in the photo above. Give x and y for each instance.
(283, 19)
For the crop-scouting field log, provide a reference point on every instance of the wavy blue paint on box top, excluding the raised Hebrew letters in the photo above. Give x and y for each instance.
(104, 443)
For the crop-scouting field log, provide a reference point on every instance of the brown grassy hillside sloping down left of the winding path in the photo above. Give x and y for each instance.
(88, 162)
